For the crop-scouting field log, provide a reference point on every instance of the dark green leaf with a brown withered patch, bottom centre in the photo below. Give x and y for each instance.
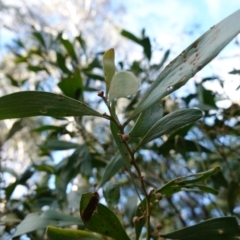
(102, 220)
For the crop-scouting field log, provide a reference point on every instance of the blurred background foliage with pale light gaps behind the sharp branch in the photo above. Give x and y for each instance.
(47, 163)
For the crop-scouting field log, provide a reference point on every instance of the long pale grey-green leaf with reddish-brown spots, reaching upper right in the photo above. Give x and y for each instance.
(190, 61)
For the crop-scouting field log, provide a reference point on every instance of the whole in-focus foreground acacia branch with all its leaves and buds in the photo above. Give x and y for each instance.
(131, 132)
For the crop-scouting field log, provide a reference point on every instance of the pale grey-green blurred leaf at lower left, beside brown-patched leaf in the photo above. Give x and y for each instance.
(34, 221)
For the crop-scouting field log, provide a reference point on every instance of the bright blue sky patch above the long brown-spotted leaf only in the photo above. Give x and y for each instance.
(164, 17)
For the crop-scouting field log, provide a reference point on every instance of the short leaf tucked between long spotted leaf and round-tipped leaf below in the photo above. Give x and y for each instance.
(146, 120)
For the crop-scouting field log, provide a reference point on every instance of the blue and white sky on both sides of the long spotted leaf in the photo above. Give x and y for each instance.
(176, 24)
